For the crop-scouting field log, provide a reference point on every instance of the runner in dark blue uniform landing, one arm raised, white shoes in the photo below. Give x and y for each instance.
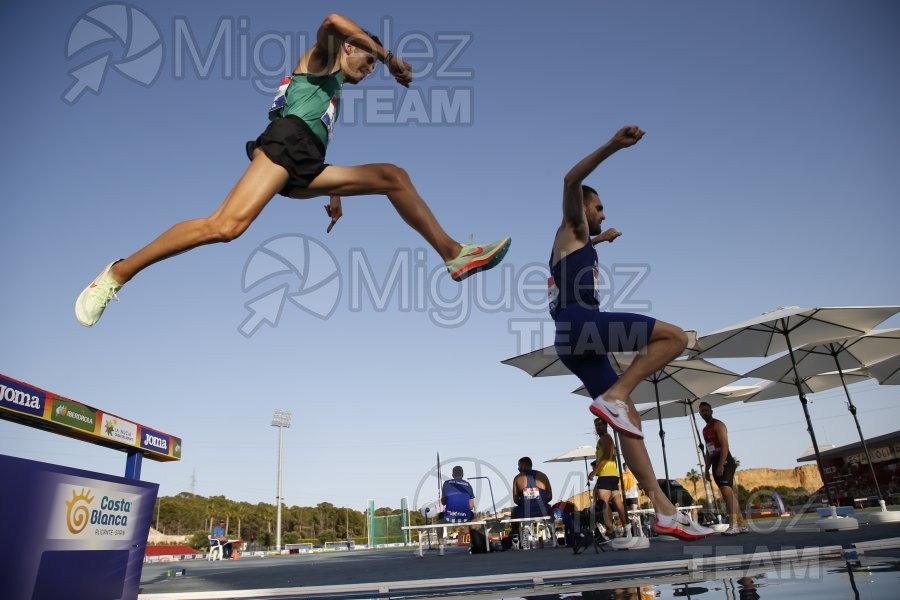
(585, 334)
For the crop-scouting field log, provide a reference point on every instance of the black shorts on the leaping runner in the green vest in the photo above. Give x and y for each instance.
(289, 142)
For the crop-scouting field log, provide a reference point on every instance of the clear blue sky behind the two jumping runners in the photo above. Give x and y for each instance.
(768, 177)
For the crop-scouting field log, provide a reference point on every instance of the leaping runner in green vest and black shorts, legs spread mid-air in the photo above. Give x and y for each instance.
(289, 158)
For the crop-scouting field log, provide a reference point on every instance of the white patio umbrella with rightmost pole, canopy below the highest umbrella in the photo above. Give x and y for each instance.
(840, 356)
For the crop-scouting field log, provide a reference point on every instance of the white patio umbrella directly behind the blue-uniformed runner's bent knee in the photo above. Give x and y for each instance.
(679, 380)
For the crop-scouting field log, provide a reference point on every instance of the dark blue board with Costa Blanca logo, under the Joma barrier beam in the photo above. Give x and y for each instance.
(69, 533)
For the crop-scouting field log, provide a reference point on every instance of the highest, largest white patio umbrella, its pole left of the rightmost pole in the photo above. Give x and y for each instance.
(786, 328)
